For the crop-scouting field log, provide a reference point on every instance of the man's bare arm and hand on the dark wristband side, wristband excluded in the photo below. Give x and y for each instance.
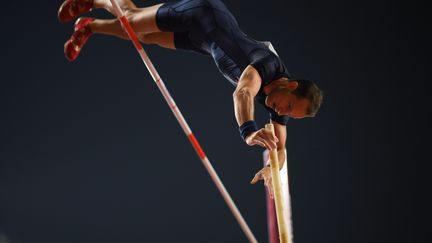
(247, 88)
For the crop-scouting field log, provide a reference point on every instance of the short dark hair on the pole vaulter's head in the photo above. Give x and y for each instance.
(309, 90)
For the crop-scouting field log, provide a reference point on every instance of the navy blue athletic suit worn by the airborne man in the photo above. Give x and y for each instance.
(208, 27)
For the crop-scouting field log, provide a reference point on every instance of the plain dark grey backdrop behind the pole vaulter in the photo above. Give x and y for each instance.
(90, 152)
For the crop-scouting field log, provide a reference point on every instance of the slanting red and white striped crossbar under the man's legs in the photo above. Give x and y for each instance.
(132, 35)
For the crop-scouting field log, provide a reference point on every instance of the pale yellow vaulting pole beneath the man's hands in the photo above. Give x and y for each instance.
(277, 191)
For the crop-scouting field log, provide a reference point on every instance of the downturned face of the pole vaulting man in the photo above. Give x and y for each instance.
(284, 102)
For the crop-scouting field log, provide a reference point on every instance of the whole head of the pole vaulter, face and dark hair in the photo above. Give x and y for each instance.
(297, 98)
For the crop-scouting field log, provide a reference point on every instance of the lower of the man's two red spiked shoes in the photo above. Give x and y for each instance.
(82, 33)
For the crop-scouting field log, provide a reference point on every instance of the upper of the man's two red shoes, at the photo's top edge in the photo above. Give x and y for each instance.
(73, 8)
